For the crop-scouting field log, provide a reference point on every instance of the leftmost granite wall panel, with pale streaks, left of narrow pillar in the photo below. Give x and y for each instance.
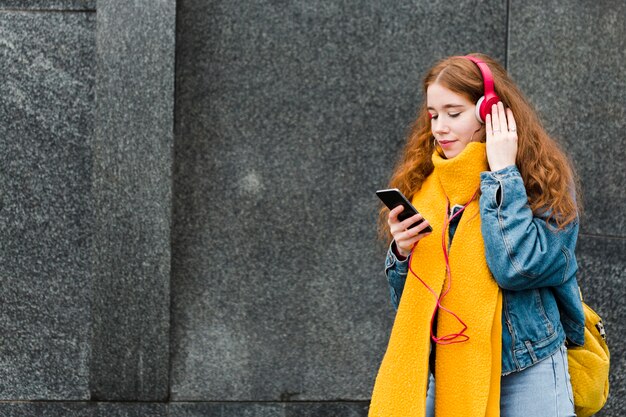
(47, 77)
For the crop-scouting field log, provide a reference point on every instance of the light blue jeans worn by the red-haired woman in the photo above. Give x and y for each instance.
(542, 390)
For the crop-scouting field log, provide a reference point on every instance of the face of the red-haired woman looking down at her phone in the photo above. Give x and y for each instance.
(453, 120)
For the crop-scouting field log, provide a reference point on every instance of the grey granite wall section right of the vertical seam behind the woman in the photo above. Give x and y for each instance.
(571, 61)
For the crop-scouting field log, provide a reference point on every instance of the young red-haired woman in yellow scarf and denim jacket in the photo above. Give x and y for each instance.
(487, 300)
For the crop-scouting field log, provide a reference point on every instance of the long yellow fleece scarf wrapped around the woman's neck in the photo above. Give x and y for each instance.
(468, 373)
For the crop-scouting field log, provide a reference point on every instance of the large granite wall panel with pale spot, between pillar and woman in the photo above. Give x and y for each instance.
(289, 115)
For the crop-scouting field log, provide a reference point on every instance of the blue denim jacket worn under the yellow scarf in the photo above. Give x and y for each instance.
(532, 262)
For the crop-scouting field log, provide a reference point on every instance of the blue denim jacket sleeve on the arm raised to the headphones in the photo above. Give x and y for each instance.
(523, 251)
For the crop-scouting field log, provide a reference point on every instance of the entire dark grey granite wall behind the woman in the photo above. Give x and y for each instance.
(186, 190)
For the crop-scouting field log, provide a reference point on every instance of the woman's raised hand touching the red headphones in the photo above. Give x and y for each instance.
(501, 133)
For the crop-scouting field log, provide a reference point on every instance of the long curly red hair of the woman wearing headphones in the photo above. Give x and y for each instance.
(548, 175)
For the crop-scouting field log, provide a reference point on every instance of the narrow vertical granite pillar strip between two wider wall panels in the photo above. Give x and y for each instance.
(132, 193)
